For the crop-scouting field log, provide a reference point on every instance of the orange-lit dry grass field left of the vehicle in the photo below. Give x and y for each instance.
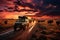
(10, 22)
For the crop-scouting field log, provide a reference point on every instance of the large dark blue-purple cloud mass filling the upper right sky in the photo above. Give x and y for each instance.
(50, 10)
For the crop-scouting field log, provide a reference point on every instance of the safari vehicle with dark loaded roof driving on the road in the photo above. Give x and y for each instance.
(21, 23)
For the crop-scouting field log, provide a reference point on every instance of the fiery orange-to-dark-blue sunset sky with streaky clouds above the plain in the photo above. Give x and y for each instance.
(43, 7)
